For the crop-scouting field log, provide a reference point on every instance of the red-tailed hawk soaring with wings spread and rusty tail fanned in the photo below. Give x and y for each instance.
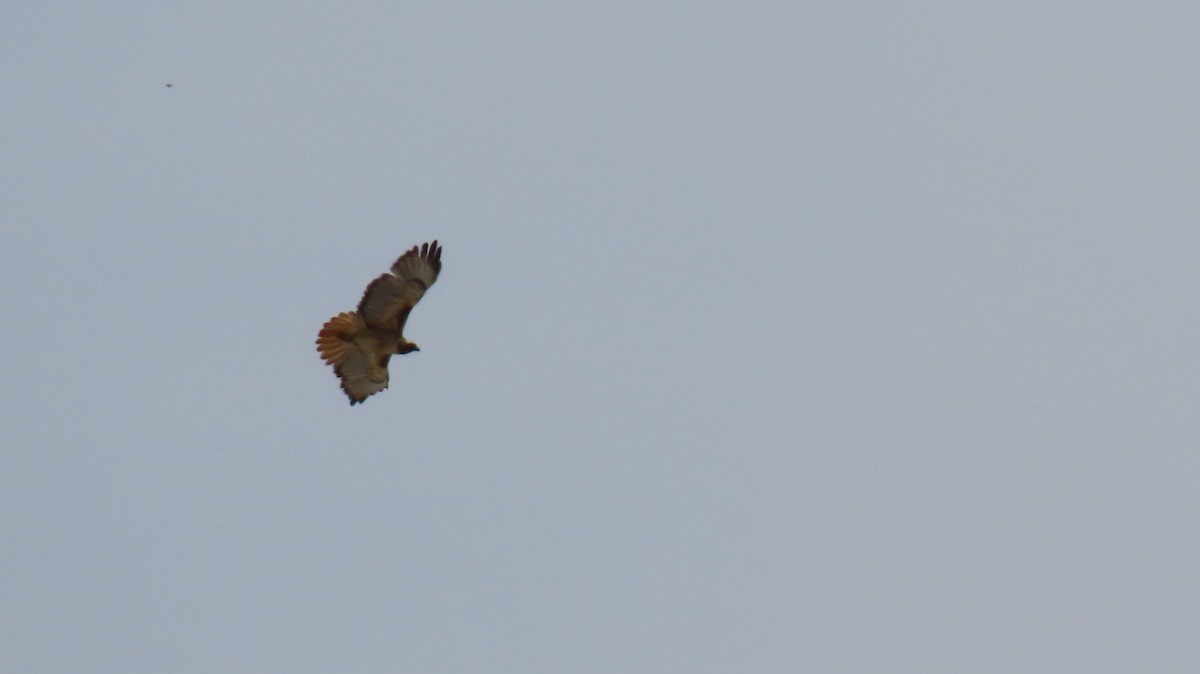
(359, 344)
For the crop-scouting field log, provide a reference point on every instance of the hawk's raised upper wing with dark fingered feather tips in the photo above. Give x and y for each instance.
(389, 299)
